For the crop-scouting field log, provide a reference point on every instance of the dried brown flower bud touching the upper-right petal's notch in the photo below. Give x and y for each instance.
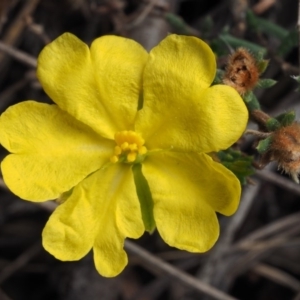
(242, 72)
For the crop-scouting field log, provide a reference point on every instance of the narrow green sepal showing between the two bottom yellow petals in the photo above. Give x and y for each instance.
(145, 197)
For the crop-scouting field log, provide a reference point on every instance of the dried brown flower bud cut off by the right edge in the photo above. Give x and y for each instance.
(285, 149)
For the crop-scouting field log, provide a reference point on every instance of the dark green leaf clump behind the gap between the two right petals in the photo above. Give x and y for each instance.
(238, 163)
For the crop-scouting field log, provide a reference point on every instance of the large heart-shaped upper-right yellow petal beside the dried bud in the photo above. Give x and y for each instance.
(180, 111)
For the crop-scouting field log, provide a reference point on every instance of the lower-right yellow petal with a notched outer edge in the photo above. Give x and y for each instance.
(187, 189)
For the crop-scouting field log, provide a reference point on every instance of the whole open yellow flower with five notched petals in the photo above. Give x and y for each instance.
(87, 146)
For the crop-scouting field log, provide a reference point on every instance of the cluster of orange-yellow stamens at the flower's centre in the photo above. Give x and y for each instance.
(130, 147)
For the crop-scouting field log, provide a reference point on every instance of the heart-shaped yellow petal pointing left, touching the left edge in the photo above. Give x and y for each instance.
(52, 151)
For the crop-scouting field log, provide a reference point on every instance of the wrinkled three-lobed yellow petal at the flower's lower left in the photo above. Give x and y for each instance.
(101, 212)
